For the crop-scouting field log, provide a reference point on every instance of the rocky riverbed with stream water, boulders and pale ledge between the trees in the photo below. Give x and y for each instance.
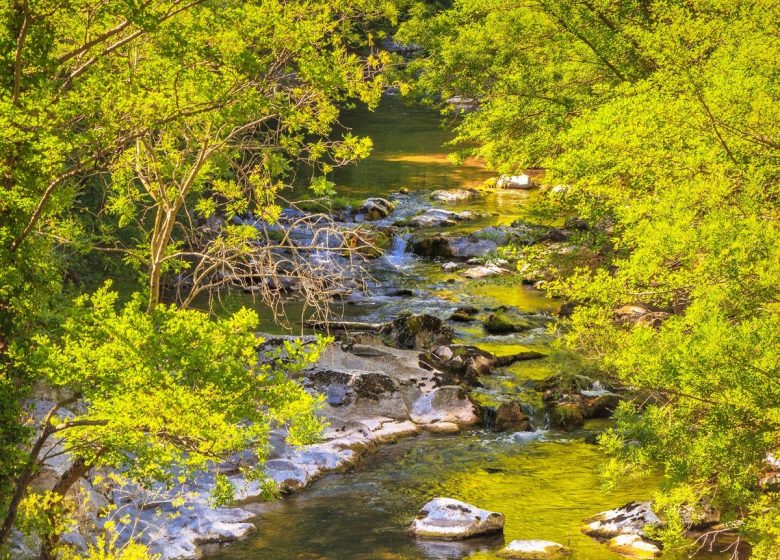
(436, 385)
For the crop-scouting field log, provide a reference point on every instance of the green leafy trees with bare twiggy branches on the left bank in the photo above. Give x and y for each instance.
(129, 129)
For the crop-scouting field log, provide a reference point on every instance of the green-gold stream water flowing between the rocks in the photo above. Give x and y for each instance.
(544, 482)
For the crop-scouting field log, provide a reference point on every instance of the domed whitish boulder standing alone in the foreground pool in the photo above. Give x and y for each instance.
(448, 519)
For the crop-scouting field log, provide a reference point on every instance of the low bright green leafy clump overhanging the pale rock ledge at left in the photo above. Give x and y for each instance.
(170, 390)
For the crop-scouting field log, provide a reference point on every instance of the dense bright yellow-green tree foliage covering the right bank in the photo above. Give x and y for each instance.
(662, 120)
